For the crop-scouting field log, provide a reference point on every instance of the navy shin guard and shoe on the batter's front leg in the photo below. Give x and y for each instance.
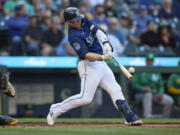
(130, 117)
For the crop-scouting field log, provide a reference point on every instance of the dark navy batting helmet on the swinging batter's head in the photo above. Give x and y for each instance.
(72, 14)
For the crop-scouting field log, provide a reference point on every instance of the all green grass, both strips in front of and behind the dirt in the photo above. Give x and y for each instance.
(91, 130)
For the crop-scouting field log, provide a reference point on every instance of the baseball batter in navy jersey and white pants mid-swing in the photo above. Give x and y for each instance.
(85, 37)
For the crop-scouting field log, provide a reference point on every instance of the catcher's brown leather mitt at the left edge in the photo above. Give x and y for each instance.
(6, 87)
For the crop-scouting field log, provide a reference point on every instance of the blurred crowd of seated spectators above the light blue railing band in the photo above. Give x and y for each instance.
(134, 27)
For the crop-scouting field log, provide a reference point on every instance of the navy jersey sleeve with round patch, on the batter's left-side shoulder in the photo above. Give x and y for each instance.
(79, 46)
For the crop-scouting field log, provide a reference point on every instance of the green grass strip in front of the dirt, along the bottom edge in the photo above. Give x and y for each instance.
(89, 131)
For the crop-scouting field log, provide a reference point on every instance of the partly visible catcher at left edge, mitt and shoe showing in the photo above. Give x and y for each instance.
(7, 88)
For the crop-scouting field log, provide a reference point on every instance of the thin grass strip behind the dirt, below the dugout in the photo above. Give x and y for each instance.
(98, 121)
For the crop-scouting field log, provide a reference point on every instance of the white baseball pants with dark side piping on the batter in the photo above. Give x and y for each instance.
(92, 74)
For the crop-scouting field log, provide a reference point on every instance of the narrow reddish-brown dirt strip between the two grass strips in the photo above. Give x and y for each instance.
(94, 125)
